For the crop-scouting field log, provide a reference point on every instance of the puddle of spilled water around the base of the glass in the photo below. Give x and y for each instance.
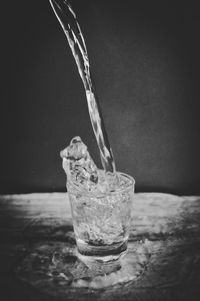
(54, 268)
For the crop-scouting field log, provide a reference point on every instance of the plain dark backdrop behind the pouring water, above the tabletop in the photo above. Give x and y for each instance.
(145, 62)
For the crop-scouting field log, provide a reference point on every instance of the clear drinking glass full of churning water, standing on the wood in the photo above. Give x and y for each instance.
(101, 222)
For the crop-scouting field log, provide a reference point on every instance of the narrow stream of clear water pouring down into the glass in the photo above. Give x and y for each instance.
(72, 30)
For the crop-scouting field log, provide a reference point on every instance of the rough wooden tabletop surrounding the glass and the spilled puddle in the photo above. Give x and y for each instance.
(169, 225)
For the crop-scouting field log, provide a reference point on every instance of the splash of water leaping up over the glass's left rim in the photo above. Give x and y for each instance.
(78, 164)
